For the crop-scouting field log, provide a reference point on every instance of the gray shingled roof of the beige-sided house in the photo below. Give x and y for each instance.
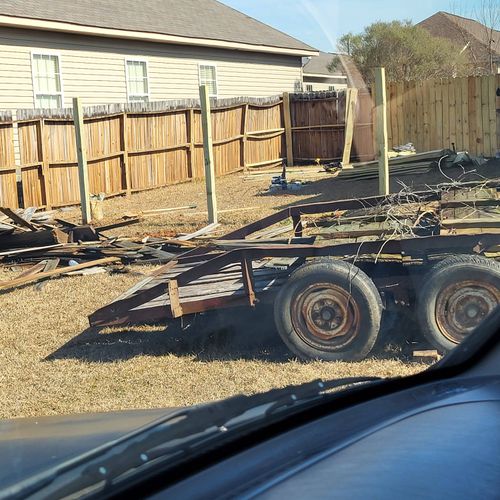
(207, 19)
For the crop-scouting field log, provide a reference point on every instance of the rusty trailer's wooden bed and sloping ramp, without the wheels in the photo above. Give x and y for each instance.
(222, 274)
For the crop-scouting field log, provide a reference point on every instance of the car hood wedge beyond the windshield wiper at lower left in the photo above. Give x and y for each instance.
(31, 445)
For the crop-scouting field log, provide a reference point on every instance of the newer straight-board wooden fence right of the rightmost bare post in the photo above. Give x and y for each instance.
(434, 114)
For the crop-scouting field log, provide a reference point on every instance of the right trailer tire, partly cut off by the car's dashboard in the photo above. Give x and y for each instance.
(458, 294)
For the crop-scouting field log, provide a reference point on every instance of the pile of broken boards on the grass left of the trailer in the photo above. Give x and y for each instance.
(43, 246)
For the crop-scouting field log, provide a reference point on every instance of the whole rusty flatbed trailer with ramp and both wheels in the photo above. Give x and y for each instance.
(235, 270)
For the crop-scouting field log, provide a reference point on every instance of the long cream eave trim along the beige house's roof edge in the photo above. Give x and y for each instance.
(77, 29)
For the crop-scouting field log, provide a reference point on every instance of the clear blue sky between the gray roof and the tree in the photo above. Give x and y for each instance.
(321, 22)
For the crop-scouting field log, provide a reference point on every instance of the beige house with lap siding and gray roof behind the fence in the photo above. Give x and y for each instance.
(117, 51)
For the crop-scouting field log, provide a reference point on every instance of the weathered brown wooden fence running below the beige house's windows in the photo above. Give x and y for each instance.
(142, 146)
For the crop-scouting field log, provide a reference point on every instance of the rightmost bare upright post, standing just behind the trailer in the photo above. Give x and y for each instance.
(381, 131)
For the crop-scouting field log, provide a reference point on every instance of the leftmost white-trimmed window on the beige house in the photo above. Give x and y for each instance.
(47, 82)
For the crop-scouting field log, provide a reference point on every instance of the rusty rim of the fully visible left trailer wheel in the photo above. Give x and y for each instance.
(325, 314)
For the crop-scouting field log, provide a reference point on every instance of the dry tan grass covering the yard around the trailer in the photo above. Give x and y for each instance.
(53, 364)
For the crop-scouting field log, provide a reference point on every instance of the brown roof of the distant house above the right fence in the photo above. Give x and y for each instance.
(463, 31)
